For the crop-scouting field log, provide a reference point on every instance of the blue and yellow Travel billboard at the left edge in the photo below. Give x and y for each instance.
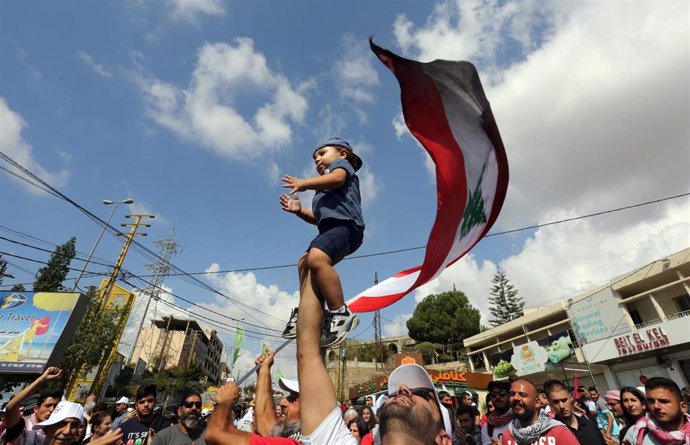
(36, 327)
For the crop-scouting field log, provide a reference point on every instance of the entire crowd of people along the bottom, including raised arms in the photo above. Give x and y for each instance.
(516, 412)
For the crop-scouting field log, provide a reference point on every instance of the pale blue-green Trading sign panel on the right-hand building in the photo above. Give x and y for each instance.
(597, 316)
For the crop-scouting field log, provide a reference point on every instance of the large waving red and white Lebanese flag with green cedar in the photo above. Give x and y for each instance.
(446, 110)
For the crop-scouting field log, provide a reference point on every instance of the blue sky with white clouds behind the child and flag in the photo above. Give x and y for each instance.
(195, 108)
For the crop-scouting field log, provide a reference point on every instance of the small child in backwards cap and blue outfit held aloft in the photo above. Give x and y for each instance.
(337, 212)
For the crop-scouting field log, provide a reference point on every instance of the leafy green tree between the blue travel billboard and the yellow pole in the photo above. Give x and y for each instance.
(93, 338)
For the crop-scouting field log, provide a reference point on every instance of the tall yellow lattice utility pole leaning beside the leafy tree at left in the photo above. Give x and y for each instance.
(105, 367)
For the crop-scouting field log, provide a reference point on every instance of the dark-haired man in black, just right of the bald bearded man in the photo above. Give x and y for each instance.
(561, 403)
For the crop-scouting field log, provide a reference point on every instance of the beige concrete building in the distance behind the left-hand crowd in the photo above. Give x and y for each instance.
(175, 342)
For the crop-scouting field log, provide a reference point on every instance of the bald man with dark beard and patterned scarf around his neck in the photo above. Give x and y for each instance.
(531, 426)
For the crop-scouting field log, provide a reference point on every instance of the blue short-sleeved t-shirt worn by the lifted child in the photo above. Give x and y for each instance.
(343, 203)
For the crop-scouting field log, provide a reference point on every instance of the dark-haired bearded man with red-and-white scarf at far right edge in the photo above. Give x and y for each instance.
(667, 421)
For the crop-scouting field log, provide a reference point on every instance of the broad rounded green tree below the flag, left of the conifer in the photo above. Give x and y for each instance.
(446, 318)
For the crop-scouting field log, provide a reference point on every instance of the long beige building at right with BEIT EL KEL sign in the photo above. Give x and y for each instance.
(634, 326)
